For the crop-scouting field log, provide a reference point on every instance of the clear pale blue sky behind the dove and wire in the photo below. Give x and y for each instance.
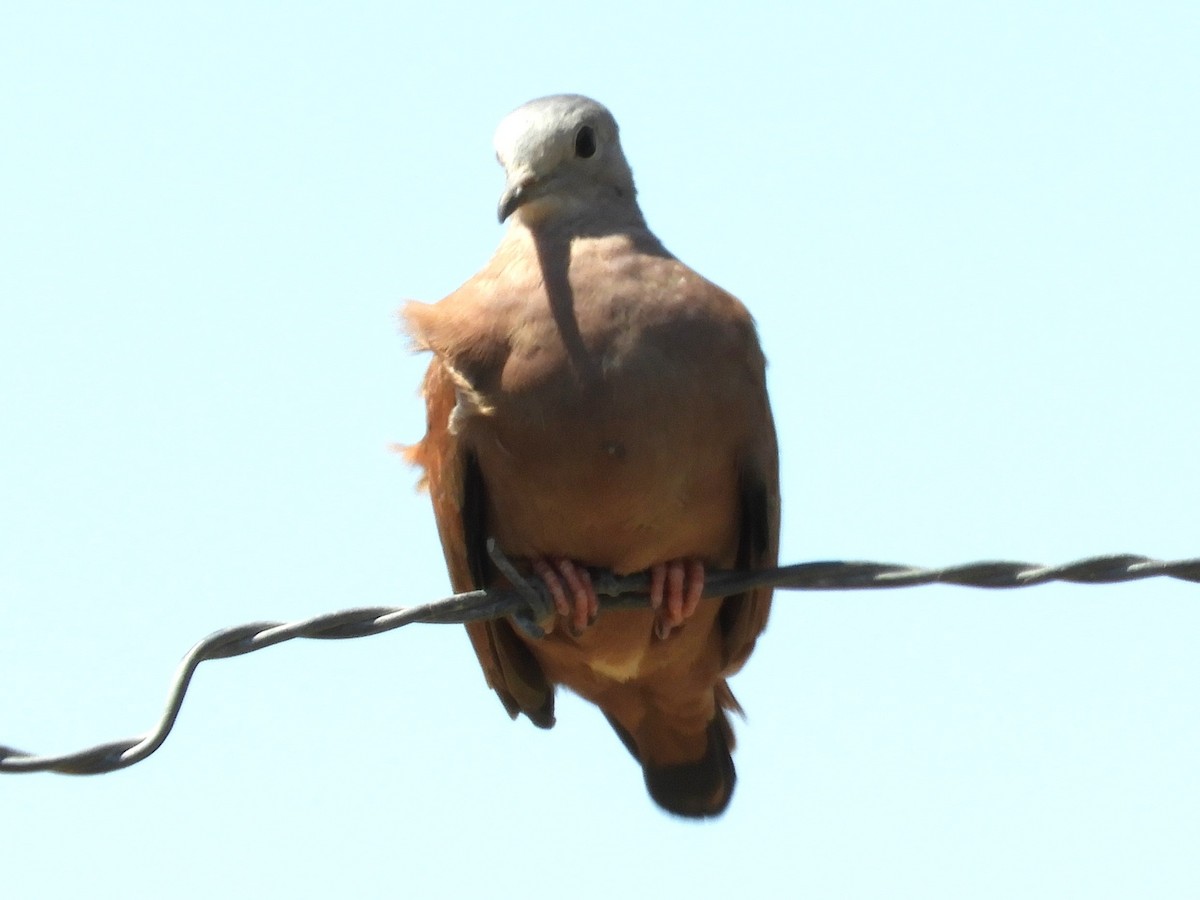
(970, 237)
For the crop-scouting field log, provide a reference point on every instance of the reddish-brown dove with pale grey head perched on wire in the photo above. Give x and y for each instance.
(592, 404)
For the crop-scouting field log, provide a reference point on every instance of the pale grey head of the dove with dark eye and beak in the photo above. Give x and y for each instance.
(561, 155)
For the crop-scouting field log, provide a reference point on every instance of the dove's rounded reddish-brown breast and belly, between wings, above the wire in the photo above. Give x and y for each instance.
(609, 429)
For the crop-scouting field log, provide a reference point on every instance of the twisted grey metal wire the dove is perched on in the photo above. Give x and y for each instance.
(530, 603)
